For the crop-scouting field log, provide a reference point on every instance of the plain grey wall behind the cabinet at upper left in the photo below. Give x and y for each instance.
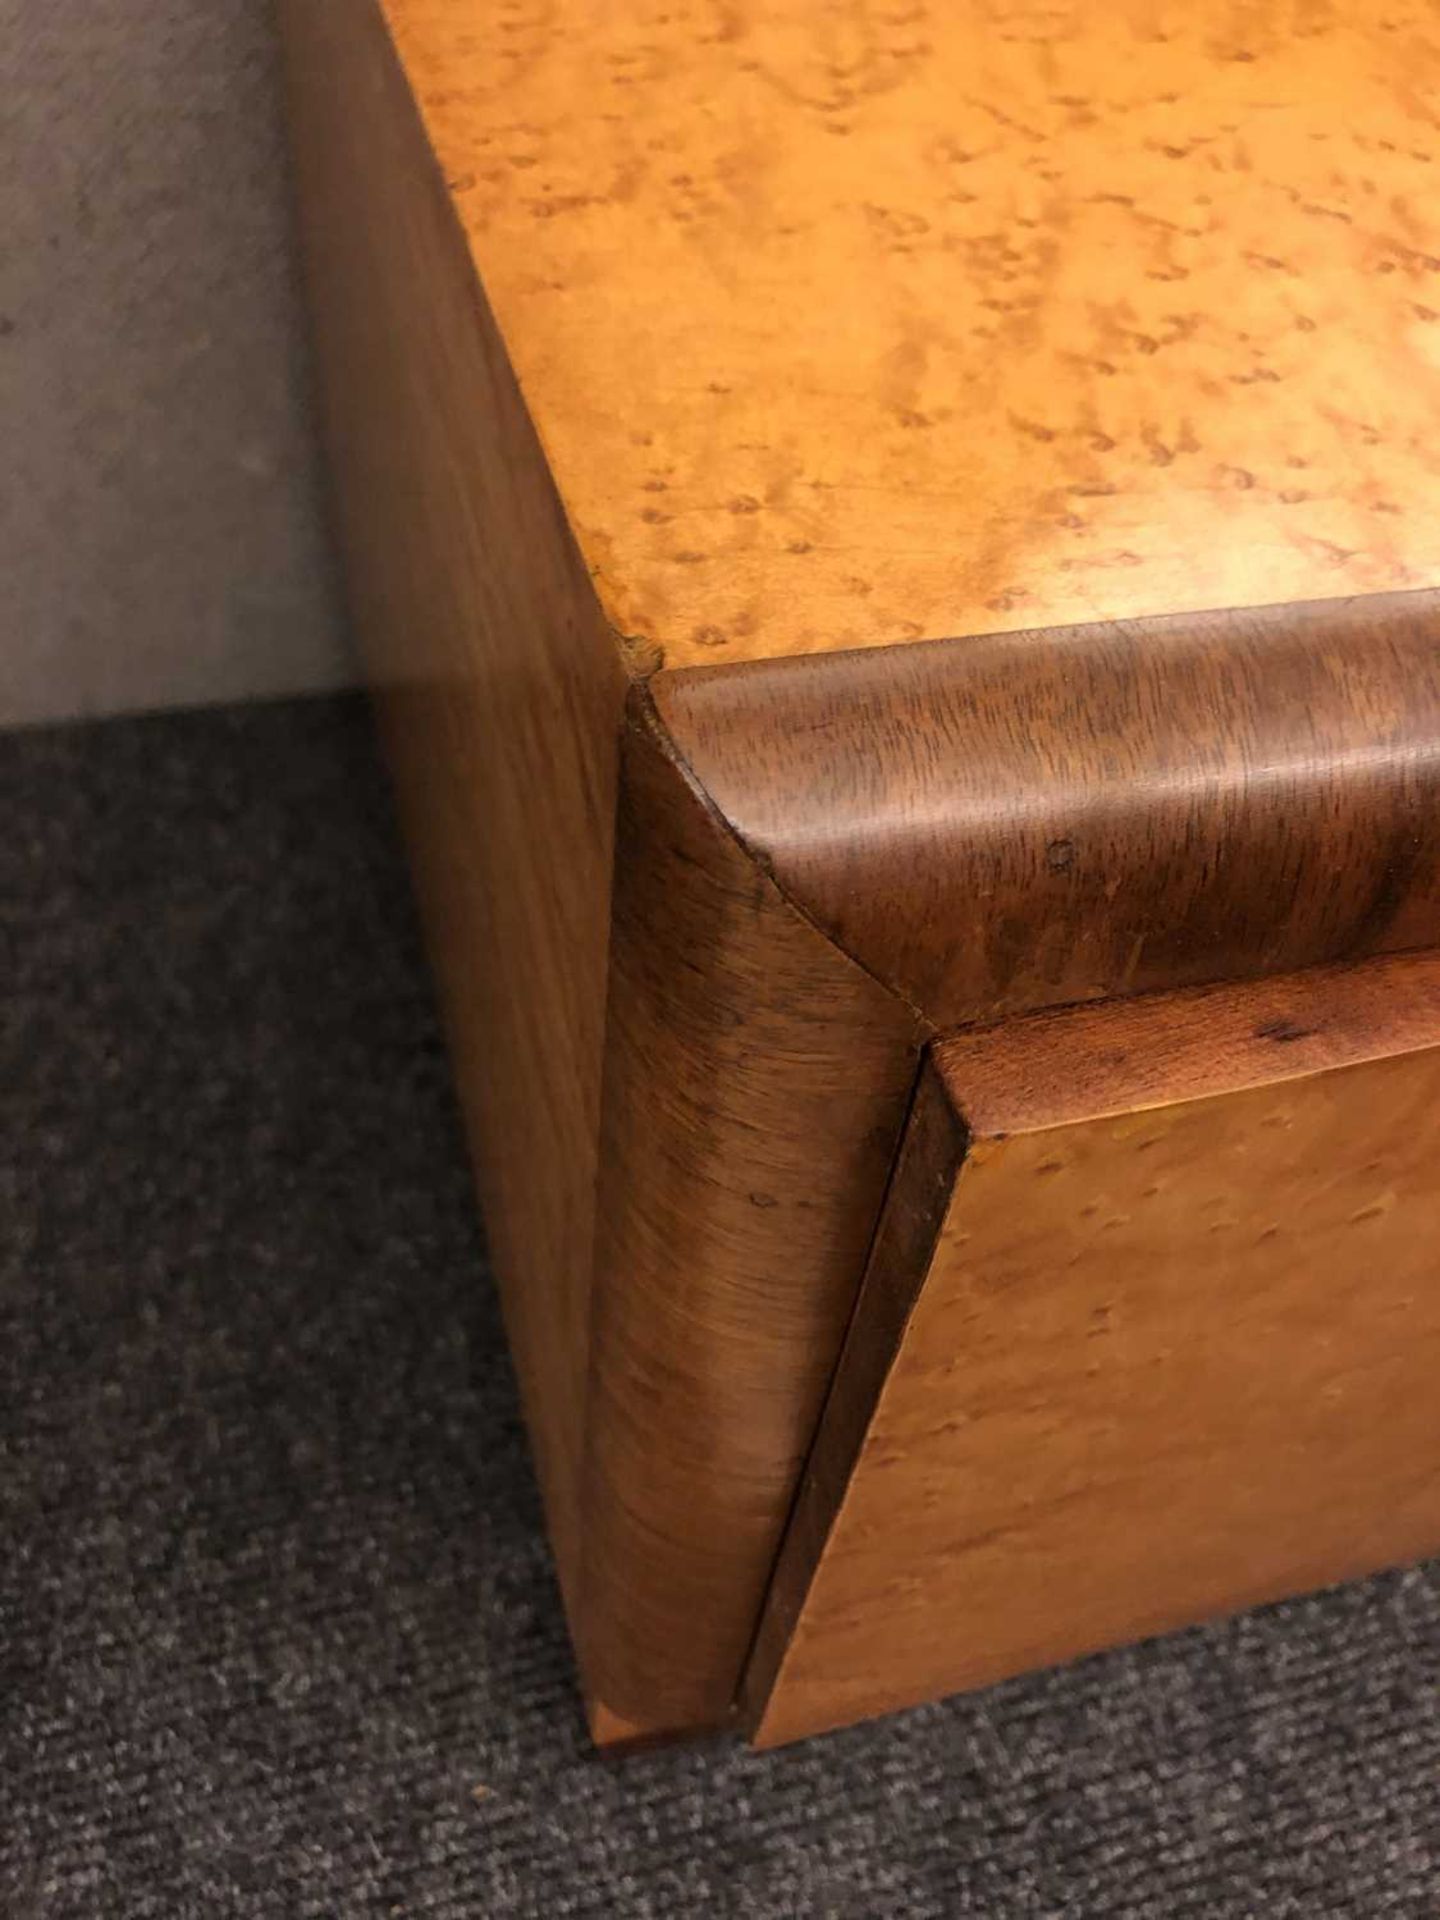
(162, 533)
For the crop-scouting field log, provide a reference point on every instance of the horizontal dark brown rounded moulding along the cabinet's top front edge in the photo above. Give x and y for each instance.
(1030, 821)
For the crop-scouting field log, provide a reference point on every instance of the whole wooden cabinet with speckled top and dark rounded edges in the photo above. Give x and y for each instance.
(898, 558)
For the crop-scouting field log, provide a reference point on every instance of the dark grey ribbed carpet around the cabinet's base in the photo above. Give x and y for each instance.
(277, 1627)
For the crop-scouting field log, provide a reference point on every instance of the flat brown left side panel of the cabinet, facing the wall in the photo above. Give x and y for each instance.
(500, 692)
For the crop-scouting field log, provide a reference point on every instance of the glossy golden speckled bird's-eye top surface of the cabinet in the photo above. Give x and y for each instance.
(865, 324)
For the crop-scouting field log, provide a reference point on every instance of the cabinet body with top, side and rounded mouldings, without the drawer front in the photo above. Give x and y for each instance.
(863, 523)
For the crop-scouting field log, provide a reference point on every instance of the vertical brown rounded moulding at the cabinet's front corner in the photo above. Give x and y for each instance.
(756, 1088)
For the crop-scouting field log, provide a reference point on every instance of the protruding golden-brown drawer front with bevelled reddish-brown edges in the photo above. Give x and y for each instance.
(1168, 1356)
